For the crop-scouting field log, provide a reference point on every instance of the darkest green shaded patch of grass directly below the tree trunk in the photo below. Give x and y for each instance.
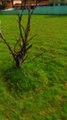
(16, 80)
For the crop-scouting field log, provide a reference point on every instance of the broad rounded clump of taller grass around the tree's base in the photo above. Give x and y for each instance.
(20, 81)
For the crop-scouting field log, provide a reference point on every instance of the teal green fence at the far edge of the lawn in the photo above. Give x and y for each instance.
(41, 10)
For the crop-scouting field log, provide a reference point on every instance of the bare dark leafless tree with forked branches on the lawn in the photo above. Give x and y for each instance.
(19, 55)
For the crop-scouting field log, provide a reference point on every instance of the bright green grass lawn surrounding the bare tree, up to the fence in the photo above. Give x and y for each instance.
(39, 90)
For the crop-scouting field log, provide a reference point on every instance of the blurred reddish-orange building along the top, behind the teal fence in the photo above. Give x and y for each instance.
(32, 3)
